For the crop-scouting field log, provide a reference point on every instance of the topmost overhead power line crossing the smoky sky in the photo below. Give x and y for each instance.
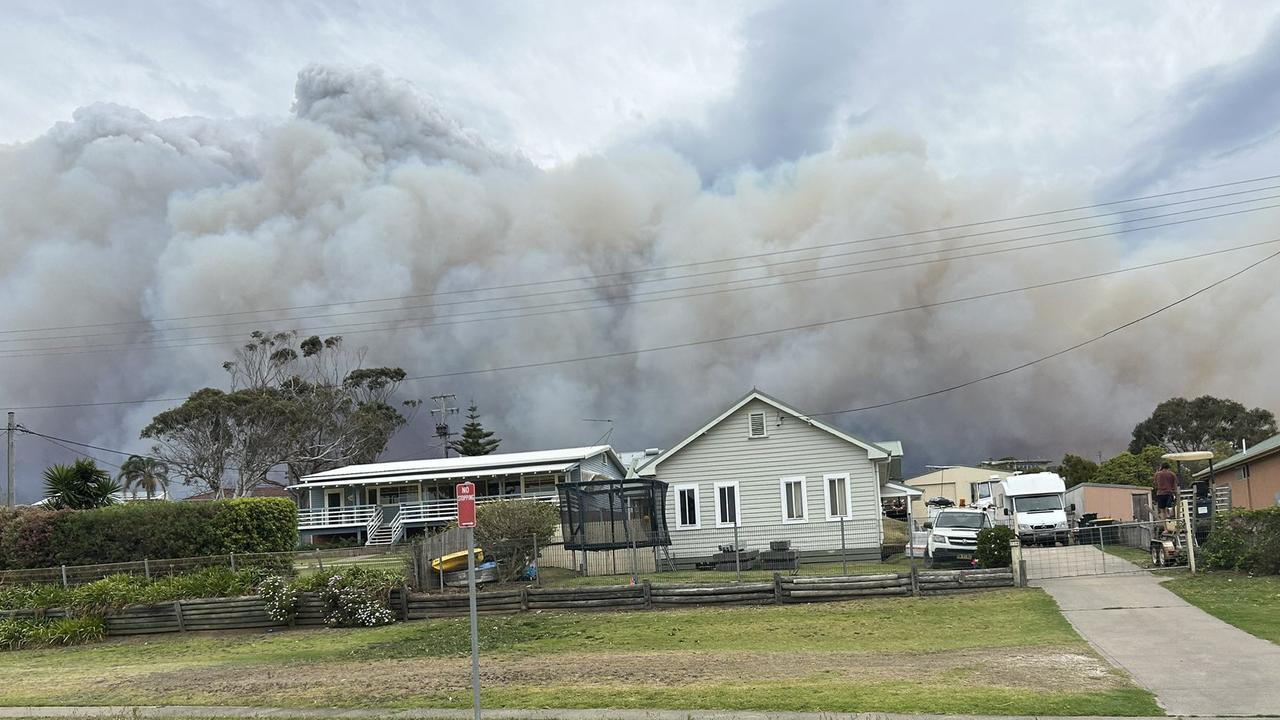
(700, 263)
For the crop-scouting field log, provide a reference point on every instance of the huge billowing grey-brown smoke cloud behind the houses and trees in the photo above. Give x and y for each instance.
(141, 235)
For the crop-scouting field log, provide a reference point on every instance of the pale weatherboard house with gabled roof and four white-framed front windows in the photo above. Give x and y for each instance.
(779, 476)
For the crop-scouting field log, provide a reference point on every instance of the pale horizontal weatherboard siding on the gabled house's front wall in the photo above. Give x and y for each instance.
(725, 454)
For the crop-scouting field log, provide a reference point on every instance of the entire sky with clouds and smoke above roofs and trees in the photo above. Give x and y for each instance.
(166, 161)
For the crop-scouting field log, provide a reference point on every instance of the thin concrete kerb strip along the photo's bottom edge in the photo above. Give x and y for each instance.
(327, 714)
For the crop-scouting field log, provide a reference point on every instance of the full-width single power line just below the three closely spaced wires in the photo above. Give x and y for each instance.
(743, 336)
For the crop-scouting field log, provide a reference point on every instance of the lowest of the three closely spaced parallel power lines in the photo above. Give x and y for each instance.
(638, 298)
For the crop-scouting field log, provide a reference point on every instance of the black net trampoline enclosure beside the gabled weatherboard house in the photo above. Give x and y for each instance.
(614, 514)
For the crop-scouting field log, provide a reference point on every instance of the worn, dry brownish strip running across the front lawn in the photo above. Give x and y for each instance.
(388, 681)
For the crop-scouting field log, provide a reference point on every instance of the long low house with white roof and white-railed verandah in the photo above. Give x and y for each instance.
(383, 503)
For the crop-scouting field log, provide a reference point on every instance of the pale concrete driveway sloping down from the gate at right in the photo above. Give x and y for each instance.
(1192, 662)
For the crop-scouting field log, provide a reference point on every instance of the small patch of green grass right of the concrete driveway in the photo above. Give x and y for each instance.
(1252, 604)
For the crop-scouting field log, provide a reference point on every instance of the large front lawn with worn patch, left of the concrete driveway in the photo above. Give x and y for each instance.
(885, 655)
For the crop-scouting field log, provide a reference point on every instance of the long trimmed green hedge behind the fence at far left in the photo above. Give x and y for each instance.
(154, 530)
